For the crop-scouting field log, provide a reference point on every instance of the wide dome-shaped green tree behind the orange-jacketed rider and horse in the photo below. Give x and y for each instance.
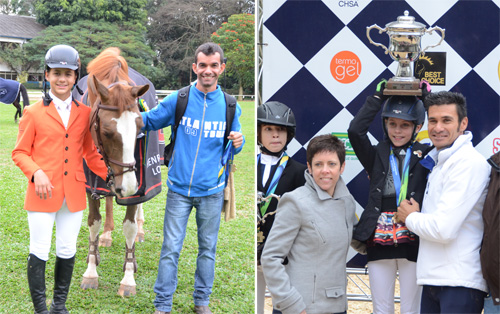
(90, 38)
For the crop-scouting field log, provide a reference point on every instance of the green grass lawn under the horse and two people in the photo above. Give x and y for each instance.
(233, 290)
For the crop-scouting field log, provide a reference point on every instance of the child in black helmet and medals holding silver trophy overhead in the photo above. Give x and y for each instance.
(395, 174)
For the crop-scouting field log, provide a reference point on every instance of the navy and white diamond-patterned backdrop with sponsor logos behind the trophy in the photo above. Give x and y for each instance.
(317, 60)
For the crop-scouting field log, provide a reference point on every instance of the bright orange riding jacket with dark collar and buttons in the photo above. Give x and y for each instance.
(44, 143)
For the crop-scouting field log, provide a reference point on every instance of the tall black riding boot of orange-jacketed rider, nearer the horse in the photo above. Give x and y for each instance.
(62, 280)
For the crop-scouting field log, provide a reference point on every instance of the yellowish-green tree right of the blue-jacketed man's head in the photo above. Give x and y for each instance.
(236, 38)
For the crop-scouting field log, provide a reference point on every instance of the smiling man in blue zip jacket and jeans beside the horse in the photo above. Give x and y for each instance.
(196, 177)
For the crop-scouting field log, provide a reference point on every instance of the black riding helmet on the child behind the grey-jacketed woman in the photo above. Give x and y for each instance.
(276, 113)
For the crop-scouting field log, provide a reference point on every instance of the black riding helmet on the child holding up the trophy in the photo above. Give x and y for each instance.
(408, 108)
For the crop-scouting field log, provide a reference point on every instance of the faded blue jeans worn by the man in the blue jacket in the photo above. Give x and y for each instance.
(177, 211)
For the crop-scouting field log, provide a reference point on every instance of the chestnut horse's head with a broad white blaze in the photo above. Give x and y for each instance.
(115, 124)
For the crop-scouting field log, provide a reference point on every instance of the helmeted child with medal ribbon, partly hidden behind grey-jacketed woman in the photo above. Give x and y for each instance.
(276, 174)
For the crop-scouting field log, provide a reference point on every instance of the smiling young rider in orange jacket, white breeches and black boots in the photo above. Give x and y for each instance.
(53, 139)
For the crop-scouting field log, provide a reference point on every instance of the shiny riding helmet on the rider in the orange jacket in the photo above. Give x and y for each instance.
(62, 56)
